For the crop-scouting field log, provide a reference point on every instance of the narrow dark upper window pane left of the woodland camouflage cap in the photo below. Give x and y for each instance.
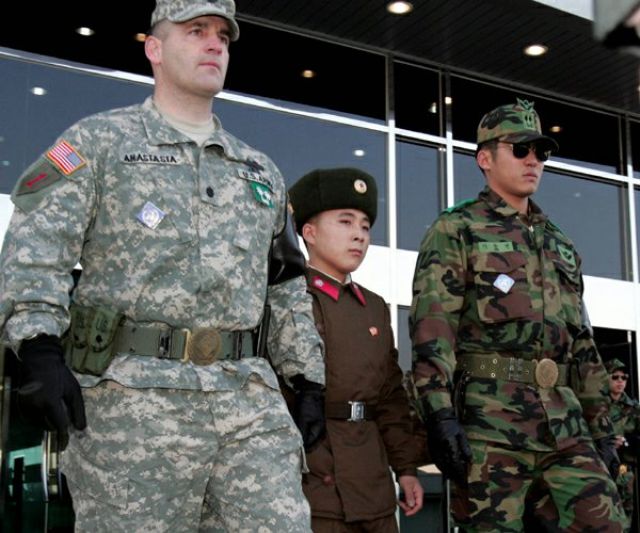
(417, 100)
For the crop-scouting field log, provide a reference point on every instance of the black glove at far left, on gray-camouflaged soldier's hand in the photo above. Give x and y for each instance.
(49, 394)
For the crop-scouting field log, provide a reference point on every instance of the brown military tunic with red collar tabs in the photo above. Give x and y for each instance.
(349, 475)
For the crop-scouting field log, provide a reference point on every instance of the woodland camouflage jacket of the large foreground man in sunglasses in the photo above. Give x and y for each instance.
(490, 283)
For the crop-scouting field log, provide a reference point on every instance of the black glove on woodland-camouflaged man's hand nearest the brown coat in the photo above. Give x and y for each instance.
(448, 445)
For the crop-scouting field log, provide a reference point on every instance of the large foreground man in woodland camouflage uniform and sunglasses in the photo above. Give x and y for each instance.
(509, 378)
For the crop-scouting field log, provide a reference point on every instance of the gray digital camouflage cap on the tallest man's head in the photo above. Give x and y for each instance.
(183, 10)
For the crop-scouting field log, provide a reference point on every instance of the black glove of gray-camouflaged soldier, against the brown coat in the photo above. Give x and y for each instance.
(308, 410)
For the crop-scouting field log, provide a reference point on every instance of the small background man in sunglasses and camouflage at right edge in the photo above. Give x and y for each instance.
(625, 416)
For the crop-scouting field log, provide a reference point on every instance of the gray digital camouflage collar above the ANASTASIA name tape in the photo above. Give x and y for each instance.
(159, 131)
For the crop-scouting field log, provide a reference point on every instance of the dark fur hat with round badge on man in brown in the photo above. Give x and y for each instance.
(333, 188)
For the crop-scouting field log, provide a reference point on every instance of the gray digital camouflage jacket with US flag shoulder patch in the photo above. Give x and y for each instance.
(167, 233)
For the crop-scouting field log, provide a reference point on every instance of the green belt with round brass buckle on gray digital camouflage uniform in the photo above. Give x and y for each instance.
(201, 346)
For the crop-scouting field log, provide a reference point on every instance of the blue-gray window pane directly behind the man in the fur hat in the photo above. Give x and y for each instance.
(300, 144)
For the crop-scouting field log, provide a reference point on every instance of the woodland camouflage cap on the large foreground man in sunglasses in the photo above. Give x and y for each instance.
(514, 123)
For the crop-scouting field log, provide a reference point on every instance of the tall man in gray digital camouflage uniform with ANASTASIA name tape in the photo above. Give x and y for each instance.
(176, 421)
